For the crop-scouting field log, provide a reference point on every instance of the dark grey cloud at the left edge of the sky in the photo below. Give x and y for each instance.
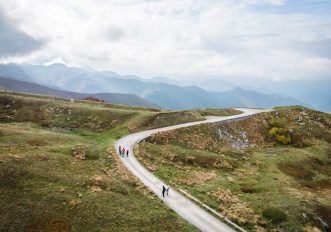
(14, 42)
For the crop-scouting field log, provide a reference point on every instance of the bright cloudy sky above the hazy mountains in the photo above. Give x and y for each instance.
(183, 39)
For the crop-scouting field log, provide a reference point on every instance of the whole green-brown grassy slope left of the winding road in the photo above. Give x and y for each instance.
(43, 187)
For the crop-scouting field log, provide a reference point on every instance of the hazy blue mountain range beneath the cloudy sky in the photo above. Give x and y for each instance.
(158, 91)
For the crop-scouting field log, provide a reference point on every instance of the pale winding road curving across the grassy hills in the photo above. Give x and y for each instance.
(176, 201)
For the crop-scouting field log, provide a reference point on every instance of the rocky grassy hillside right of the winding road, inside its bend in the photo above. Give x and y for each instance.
(242, 171)
